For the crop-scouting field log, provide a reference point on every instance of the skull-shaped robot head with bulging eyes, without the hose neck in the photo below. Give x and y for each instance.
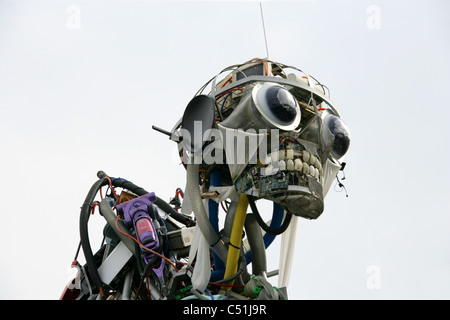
(272, 132)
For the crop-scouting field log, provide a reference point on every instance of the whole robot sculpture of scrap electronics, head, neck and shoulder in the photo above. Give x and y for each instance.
(264, 131)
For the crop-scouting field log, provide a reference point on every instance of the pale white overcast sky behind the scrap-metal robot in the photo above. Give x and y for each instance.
(82, 82)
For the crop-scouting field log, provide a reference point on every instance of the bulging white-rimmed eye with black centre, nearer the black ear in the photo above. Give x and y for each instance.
(278, 104)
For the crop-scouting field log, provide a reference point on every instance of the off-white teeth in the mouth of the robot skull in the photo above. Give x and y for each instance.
(290, 160)
